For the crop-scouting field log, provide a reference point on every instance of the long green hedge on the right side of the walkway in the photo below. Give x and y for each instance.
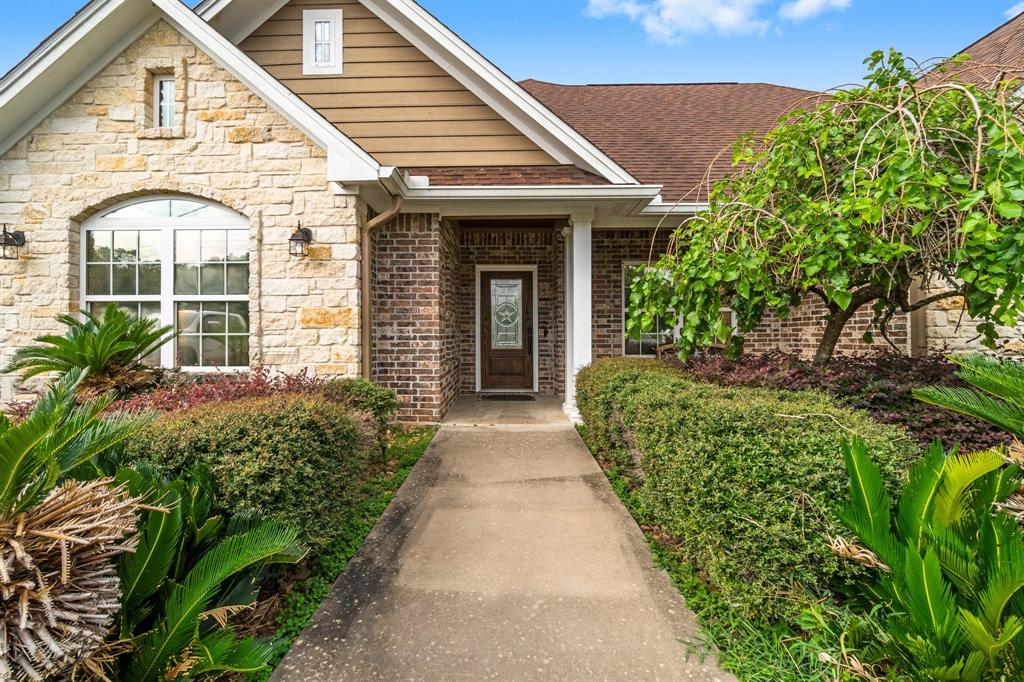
(745, 481)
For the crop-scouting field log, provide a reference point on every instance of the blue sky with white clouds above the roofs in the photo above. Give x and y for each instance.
(807, 44)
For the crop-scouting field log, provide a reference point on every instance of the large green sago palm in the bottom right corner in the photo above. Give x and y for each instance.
(951, 565)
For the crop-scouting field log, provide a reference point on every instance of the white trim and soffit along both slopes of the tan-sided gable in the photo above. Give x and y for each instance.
(238, 19)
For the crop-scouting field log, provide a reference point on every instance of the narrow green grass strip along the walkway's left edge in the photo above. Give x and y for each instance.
(307, 595)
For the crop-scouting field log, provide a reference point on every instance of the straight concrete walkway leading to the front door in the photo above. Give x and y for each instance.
(505, 557)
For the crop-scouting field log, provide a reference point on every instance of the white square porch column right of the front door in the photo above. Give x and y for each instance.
(579, 321)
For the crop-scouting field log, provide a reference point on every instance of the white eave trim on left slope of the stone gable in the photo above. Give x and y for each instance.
(54, 72)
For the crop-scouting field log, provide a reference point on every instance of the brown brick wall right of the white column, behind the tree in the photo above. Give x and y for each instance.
(797, 334)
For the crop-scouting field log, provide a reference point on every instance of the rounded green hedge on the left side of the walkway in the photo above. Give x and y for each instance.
(300, 459)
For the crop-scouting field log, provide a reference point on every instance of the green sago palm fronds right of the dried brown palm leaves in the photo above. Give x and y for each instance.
(192, 572)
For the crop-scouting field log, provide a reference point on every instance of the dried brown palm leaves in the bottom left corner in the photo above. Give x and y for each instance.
(59, 579)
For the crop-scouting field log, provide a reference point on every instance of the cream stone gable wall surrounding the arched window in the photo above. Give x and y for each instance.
(230, 147)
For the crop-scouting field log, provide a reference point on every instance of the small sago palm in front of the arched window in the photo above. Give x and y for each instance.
(110, 350)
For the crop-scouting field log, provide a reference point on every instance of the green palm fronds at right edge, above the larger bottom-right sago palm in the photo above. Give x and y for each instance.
(998, 397)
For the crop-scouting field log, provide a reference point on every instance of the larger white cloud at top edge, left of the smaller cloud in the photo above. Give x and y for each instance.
(670, 21)
